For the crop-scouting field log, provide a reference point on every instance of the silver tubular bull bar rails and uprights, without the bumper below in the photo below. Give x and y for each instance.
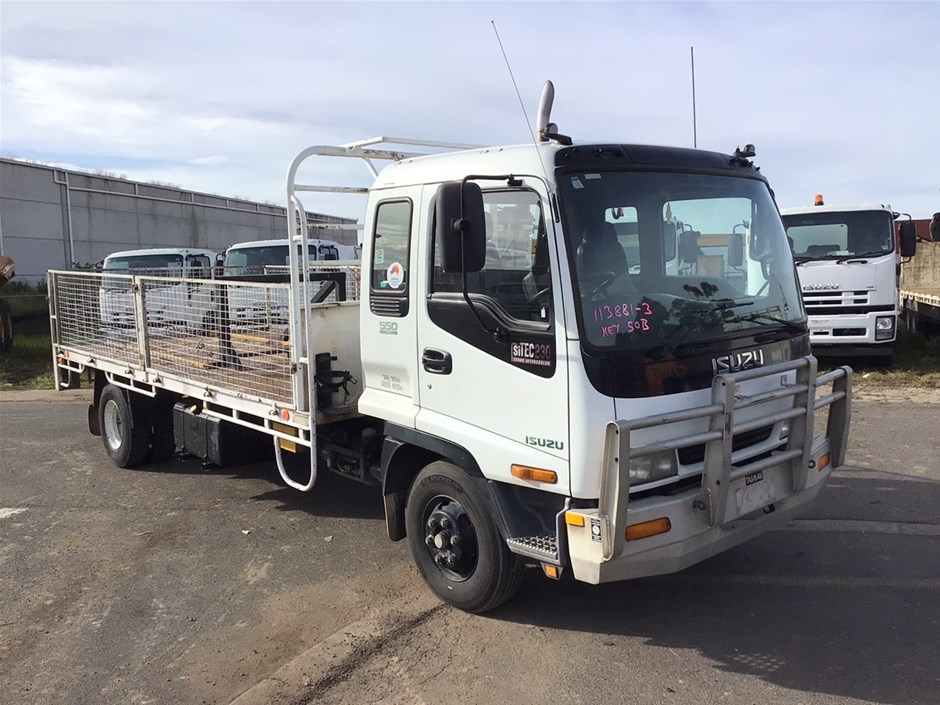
(718, 472)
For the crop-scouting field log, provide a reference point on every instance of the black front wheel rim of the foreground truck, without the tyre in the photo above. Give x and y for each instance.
(450, 538)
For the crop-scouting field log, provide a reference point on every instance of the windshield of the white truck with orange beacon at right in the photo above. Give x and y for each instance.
(840, 235)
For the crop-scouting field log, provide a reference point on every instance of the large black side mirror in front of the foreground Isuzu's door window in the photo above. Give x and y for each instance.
(460, 226)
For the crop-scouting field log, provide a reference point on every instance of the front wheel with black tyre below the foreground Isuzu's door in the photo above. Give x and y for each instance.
(455, 543)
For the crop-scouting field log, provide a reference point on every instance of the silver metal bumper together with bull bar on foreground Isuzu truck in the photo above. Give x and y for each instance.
(735, 501)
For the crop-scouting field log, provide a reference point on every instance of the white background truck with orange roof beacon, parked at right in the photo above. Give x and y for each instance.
(849, 264)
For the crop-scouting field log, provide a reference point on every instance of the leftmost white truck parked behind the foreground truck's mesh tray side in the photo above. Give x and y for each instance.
(175, 300)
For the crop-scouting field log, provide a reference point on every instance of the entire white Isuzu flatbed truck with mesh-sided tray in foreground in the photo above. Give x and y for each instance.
(522, 388)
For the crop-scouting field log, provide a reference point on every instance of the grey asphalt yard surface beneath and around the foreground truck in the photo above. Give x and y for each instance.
(183, 584)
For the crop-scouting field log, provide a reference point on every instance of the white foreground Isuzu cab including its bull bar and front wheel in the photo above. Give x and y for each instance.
(621, 401)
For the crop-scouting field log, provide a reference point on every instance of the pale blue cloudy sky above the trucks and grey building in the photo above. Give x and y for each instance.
(839, 98)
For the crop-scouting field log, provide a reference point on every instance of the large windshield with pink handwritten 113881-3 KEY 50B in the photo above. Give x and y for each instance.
(659, 258)
